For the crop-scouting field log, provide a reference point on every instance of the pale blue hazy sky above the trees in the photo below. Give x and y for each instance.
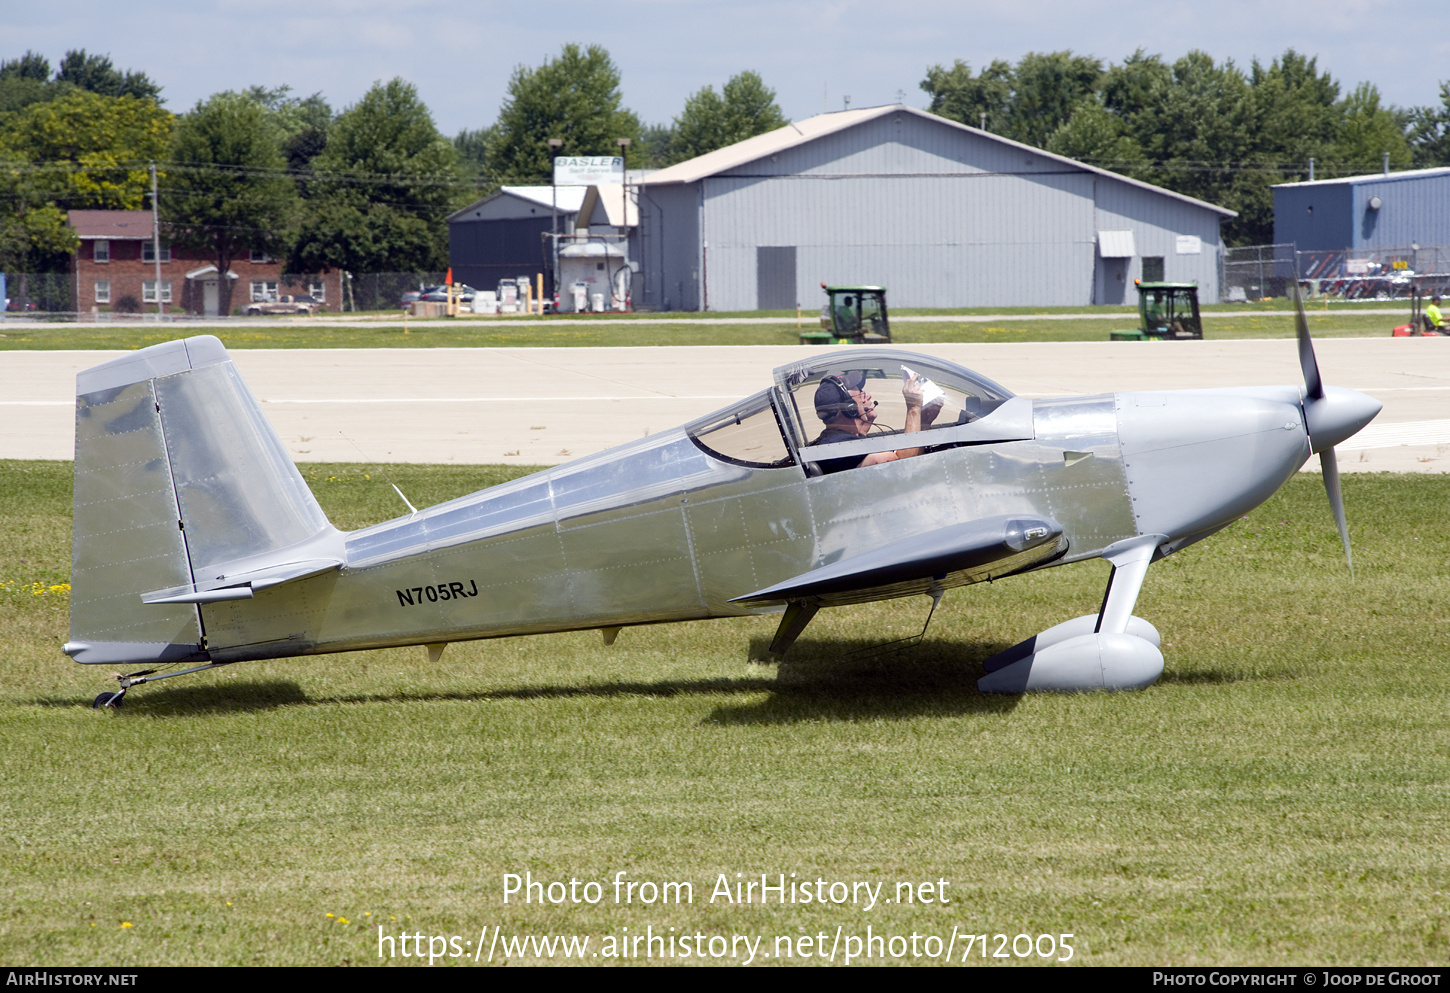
(813, 53)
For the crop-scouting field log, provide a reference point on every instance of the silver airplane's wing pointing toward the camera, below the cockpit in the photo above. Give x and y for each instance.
(953, 556)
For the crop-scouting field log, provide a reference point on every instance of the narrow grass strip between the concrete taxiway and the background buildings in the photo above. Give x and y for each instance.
(1259, 321)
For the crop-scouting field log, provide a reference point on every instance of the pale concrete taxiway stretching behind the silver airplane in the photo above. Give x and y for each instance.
(550, 405)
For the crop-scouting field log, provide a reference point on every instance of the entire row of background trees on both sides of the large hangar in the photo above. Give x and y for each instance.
(369, 188)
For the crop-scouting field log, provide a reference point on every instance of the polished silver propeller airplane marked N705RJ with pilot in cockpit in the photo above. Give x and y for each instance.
(198, 543)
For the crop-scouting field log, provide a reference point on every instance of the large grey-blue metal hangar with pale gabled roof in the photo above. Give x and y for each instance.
(942, 214)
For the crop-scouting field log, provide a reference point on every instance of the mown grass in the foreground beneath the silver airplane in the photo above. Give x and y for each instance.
(1278, 798)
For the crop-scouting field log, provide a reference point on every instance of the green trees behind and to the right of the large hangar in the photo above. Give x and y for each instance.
(1197, 127)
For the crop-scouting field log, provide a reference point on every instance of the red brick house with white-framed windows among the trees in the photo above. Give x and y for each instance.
(115, 270)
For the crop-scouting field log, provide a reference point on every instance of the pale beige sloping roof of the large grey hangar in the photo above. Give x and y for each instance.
(810, 130)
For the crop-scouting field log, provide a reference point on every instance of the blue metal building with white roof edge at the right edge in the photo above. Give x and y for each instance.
(1384, 211)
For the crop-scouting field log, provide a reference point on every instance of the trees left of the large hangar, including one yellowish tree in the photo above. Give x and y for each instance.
(365, 189)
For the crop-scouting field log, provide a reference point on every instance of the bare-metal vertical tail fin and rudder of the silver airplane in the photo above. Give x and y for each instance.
(182, 488)
